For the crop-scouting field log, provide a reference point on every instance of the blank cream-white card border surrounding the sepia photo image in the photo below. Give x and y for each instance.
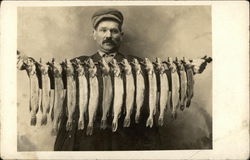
(230, 22)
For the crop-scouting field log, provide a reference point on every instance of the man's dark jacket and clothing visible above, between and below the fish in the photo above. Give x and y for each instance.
(136, 137)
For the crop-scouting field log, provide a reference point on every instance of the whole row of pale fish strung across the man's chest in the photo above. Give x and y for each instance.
(170, 84)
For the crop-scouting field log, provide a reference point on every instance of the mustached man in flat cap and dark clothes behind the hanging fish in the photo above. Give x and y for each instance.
(108, 35)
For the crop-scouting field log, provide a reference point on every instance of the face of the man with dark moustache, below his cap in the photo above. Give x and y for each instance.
(108, 36)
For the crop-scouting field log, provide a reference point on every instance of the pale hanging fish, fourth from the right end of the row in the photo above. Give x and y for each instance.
(164, 89)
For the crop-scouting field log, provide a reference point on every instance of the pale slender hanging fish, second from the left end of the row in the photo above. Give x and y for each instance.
(45, 105)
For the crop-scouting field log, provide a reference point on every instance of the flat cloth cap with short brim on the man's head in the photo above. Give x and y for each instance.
(107, 14)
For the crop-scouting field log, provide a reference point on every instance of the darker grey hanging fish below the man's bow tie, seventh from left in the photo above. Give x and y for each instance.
(107, 92)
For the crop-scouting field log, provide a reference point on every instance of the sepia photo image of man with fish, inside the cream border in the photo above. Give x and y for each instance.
(129, 78)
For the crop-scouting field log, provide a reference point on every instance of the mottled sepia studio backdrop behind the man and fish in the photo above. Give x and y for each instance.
(149, 31)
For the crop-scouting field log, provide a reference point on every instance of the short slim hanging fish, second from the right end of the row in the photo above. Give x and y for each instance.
(183, 83)
